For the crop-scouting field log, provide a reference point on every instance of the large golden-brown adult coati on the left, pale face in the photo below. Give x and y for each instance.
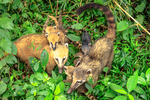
(34, 44)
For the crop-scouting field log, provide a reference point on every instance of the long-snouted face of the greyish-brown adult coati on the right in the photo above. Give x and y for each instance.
(79, 77)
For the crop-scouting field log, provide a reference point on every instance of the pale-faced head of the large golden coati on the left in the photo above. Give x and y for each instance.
(60, 56)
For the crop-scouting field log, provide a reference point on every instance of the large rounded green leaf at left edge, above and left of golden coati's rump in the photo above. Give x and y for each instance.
(6, 23)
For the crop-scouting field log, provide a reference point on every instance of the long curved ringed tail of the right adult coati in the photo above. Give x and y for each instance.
(110, 18)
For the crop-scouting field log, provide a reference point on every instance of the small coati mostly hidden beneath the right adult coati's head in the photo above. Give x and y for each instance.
(81, 89)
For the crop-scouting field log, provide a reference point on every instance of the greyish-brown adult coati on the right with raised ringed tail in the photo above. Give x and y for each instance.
(99, 55)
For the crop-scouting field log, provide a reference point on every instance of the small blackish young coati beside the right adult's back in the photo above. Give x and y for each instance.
(86, 42)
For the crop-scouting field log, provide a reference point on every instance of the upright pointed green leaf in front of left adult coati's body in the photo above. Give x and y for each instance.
(44, 58)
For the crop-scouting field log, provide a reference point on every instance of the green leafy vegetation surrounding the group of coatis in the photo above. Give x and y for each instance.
(130, 74)
